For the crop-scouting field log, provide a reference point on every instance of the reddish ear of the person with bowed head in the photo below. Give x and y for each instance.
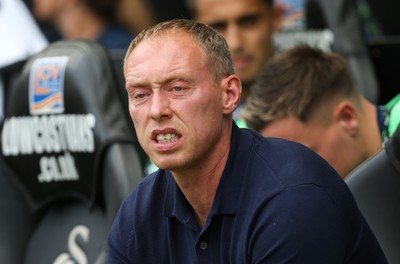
(346, 115)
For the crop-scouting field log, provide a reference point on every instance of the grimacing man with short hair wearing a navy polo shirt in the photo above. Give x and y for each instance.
(222, 194)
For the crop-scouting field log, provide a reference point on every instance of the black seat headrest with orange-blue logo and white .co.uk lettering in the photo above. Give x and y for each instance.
(63, 111)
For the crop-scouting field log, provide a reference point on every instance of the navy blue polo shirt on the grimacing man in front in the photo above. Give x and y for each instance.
(277, 202)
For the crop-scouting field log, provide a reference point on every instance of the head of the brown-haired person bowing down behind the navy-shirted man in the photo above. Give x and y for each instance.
(308, 96)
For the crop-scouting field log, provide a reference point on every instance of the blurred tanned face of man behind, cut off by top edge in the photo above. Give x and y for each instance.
(247, 25)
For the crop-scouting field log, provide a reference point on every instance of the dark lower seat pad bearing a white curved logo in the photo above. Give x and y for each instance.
(71, 233)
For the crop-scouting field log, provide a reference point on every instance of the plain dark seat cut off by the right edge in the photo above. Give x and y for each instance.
(375, 185)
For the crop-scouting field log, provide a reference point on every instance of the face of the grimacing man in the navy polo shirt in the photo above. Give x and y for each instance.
(176, 106)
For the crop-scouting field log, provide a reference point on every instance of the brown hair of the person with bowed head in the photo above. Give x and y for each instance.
(297, 82)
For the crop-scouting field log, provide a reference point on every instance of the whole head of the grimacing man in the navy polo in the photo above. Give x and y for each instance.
(182, 92)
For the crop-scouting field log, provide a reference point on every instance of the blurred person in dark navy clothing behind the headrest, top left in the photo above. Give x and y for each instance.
(84, 19)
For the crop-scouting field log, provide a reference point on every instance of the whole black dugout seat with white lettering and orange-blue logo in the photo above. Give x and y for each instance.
(68, 157)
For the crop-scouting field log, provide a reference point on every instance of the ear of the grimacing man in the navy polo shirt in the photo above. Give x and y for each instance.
(232, 89)
